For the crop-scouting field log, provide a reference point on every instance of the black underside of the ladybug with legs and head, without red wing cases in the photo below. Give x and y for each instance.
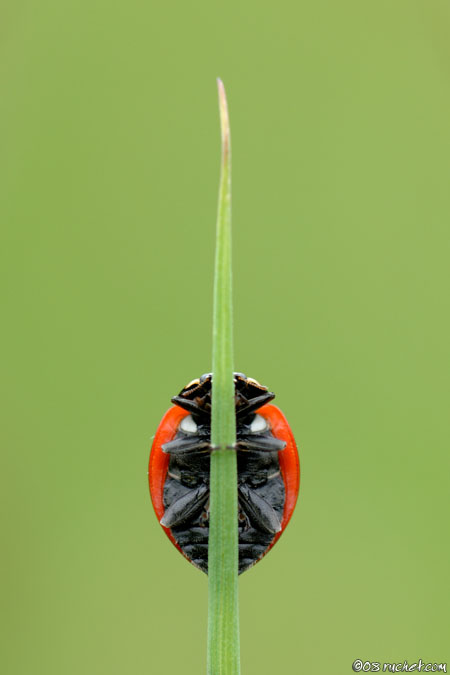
(261, 491)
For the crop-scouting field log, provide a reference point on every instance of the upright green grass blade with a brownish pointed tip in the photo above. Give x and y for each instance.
(223, 609)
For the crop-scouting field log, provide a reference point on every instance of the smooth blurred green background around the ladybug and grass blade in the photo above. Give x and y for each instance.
(110, 163)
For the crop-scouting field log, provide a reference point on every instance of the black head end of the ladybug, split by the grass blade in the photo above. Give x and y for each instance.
(249, 395)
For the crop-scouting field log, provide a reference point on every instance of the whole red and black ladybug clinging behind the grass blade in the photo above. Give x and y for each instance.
(267, 466)
